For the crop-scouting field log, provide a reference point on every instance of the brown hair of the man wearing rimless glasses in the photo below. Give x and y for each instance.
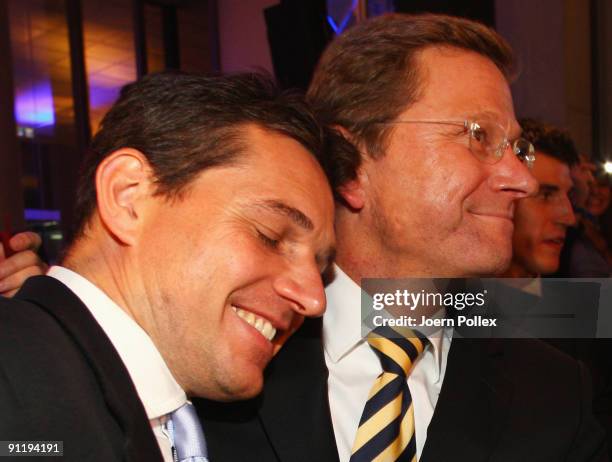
(369, 75)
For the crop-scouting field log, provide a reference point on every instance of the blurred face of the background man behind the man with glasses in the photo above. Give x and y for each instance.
(541, 221)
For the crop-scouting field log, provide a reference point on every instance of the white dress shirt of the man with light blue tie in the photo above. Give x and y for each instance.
(158, 390)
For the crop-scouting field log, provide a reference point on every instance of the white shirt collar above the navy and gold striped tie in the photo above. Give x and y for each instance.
(342, 320)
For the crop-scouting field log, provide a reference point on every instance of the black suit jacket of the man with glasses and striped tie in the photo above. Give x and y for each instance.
(501, 400)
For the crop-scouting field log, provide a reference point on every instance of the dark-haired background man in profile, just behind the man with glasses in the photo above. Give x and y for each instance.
(540, 226)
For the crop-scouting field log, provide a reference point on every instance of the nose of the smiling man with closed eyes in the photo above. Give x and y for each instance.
(302, 285)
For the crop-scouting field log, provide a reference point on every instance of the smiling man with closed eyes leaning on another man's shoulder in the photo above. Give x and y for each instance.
(205, 220)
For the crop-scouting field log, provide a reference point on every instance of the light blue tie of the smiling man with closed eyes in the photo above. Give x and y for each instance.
(187, 435)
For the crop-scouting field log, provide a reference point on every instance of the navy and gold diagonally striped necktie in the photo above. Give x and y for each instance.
(386, 428)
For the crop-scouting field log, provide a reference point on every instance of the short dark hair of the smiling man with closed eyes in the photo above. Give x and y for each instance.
(185, 123)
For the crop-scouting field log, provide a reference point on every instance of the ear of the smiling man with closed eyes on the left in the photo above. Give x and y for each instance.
(123, 184)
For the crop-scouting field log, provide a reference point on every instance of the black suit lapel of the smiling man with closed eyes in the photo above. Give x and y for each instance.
(115, 382)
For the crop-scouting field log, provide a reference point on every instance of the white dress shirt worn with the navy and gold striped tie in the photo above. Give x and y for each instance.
(353, 367)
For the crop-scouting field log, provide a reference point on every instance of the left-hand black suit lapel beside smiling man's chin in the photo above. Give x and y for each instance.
(295, 410)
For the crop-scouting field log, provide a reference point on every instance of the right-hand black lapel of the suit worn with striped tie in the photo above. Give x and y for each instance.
(473, 404)
